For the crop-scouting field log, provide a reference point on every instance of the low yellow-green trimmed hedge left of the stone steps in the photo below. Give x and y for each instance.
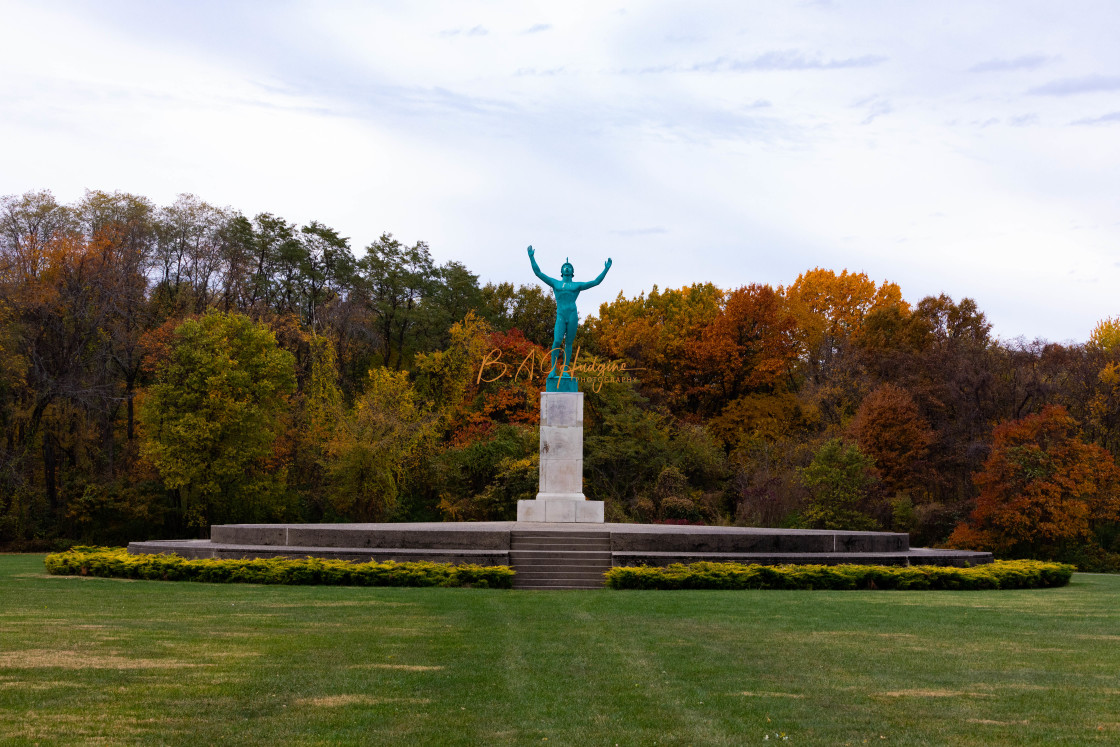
(117, 563)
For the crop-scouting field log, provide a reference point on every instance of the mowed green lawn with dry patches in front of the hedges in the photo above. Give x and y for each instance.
(105, 661)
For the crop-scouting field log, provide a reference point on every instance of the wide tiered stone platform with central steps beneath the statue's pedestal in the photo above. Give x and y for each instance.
(559, 555)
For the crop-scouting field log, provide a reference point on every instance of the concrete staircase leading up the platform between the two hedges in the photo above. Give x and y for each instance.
(559, 561)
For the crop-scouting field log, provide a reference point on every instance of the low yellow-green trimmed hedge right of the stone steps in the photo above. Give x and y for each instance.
(1000, 575)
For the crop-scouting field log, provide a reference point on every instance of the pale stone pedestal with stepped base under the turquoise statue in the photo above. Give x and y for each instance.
(561, 497)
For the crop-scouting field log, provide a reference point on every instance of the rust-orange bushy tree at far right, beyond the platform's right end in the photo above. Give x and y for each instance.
(1043, 491)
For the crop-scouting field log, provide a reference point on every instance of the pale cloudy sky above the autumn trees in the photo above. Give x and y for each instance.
(967, 148)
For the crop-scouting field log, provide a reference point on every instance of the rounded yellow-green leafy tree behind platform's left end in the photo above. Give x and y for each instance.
(211, 419)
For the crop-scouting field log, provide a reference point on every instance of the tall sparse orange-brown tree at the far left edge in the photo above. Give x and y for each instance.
(62, 287)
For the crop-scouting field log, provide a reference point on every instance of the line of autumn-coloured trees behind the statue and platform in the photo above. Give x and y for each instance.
(166, 368)
